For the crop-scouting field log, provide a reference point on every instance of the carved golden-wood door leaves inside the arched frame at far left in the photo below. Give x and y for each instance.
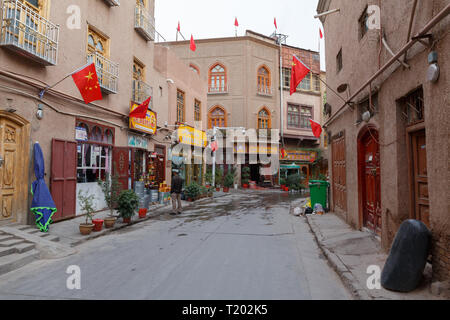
(10, 168)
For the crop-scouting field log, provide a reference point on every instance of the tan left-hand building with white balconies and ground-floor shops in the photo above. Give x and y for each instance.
(43, 41)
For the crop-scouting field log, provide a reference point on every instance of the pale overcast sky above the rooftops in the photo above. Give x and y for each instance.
(214, 19)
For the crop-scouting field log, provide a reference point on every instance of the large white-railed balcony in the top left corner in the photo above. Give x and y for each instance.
(23, 30)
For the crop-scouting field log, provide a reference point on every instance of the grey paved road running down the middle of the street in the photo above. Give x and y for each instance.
(242, 246)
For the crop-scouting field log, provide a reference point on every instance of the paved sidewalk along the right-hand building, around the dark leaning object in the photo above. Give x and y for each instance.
(350, 252)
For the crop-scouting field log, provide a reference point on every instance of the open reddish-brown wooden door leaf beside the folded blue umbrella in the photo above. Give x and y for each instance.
(63, 180)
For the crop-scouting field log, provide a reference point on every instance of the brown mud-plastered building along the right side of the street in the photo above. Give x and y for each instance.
(388, 154)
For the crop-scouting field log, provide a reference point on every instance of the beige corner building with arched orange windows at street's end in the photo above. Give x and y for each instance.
(243, 75)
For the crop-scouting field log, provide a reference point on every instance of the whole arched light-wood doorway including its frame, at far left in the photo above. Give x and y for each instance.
(13, 167)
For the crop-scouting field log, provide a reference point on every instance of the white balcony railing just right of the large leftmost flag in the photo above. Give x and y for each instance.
(107, 72)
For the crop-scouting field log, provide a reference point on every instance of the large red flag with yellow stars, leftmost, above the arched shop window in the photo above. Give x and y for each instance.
(87, 82)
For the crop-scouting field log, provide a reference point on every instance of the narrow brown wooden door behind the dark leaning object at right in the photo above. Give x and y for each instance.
(421, 205)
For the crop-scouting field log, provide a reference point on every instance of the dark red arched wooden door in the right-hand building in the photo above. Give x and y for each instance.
(369, 166)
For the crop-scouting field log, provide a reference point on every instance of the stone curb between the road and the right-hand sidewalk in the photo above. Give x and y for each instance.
(339, 267)
